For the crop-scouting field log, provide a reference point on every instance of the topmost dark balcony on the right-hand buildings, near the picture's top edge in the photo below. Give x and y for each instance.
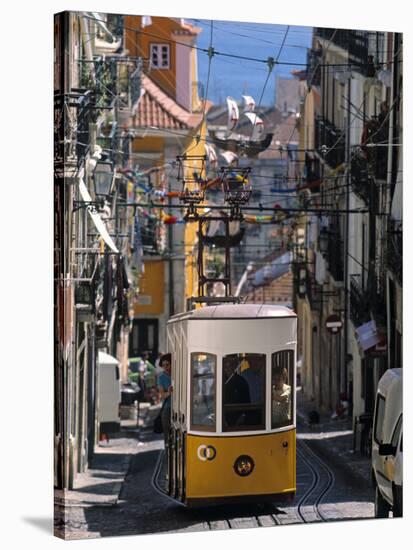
(356, 43)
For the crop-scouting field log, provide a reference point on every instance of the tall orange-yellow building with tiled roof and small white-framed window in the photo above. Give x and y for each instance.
(168, 121)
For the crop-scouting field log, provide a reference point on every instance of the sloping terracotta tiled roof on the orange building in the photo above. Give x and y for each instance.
(156, 108)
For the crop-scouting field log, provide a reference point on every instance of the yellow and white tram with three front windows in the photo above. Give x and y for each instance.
(233, 421)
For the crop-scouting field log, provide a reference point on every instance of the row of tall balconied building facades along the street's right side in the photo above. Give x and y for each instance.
(352, 135)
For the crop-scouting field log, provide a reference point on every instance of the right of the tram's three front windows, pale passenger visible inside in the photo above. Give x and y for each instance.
(282, 372)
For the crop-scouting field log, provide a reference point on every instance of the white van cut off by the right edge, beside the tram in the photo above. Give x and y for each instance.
(387, 445)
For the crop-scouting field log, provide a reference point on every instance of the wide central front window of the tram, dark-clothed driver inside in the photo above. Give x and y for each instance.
(243, 392)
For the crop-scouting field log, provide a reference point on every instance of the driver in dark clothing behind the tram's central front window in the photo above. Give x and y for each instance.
(236, 391)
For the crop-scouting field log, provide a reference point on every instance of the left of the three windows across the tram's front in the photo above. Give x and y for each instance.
(203, 384)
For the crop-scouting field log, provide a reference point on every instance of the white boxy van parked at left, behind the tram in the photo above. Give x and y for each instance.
(109, 395)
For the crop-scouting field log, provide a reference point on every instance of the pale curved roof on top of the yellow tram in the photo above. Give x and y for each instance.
(236, 311)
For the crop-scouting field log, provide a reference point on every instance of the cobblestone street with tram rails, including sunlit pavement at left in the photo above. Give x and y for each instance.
(109, 503)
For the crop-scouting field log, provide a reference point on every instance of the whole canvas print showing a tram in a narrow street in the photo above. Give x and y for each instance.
(227, 245)
